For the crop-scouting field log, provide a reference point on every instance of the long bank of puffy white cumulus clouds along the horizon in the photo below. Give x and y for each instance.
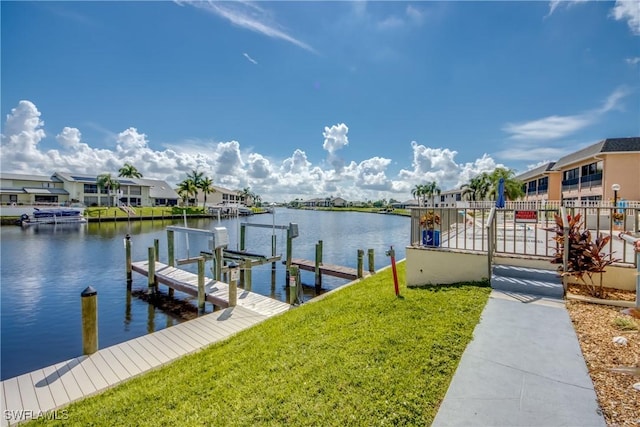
(229, 165)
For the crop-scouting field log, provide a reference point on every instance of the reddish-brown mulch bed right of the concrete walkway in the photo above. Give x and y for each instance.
(596, 327)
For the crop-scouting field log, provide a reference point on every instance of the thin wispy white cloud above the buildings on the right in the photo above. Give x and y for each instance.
(554, 127)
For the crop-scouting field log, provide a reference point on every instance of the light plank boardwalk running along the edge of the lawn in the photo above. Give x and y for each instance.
(52, 388)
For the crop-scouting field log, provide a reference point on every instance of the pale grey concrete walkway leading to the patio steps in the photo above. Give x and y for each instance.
(524, 367)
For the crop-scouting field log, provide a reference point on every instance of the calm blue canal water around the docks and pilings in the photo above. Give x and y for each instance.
(45, 268)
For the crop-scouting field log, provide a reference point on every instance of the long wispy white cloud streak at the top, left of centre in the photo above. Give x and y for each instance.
(250, 16)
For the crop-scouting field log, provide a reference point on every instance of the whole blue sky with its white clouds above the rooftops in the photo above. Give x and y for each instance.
(362, 100)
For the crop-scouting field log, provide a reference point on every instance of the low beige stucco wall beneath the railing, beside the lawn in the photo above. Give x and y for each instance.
(443, 266)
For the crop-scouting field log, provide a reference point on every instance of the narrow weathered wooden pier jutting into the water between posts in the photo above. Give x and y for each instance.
(216, 293)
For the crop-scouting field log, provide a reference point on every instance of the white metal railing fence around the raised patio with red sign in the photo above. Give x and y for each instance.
(521, 229)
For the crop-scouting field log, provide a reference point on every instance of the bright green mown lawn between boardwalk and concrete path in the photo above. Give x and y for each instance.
(360, 356)
